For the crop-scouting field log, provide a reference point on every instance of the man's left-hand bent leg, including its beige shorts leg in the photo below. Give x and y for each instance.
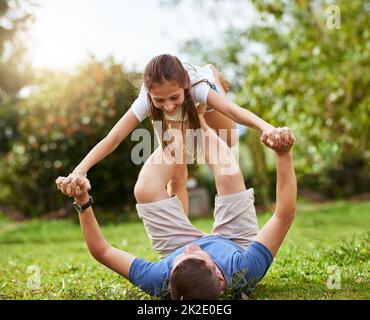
(164, 219)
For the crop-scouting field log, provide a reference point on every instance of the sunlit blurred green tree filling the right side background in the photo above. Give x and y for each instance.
(310, 72)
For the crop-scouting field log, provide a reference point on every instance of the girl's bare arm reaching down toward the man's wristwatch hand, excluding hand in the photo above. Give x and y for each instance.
(106, 146)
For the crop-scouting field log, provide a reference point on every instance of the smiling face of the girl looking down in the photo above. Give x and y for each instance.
(167, 96)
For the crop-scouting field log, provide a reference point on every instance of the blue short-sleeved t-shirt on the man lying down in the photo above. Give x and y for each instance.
(239, 267)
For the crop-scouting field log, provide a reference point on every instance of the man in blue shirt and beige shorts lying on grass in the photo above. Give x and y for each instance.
(195, 265)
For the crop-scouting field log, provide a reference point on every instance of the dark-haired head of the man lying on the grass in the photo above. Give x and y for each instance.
(195, 276)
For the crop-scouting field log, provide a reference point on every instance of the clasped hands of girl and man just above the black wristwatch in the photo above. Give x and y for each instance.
(74, 185)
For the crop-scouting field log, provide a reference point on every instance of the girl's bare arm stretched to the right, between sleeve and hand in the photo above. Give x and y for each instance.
(236, 113)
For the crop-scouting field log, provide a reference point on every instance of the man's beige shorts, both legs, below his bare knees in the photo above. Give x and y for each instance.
(169, 228)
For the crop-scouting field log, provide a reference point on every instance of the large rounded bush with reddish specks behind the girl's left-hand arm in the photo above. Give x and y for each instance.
(60, 122)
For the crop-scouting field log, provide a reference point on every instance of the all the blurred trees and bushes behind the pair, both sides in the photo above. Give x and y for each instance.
(305, 75)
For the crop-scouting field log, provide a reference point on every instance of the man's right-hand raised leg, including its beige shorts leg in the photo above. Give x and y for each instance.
(235, 214)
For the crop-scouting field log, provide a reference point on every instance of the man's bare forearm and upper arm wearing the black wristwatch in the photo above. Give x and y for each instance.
(115, 259)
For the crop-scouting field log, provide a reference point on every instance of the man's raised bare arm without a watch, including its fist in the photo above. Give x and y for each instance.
(274, 231)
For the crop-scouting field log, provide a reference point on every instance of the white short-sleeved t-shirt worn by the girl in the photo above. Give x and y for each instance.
(199, 92)
